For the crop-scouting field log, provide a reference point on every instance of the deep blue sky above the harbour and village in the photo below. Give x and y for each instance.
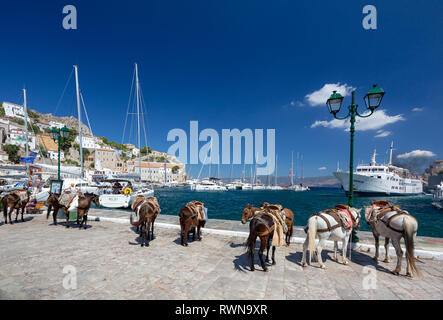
(236, 64)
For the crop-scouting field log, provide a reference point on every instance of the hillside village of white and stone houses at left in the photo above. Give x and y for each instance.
(99, 154)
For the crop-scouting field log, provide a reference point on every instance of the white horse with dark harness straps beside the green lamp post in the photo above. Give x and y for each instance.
(319, 228)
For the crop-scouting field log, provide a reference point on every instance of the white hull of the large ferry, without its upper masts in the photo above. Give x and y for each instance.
(373, 186)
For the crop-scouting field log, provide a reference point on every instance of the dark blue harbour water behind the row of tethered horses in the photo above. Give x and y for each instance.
(229, 205)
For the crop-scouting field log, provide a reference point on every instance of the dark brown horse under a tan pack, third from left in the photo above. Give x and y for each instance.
(147, 209)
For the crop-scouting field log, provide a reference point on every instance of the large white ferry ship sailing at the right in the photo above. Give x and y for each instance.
(381, 180)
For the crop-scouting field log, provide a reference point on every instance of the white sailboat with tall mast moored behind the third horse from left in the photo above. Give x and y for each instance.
(112, 198)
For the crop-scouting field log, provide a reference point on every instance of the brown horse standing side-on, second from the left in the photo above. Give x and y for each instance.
(83, 205)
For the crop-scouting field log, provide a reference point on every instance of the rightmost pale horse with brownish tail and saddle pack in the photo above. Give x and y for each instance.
(393, 223)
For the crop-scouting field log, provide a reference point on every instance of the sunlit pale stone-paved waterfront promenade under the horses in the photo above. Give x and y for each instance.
(110, 264)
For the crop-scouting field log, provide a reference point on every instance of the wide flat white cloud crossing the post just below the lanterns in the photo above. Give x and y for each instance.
(376, 121)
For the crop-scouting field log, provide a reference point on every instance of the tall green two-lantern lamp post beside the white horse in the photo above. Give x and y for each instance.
(372, 100)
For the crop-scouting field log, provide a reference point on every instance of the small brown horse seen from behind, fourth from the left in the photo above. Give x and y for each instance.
(191, 215)
